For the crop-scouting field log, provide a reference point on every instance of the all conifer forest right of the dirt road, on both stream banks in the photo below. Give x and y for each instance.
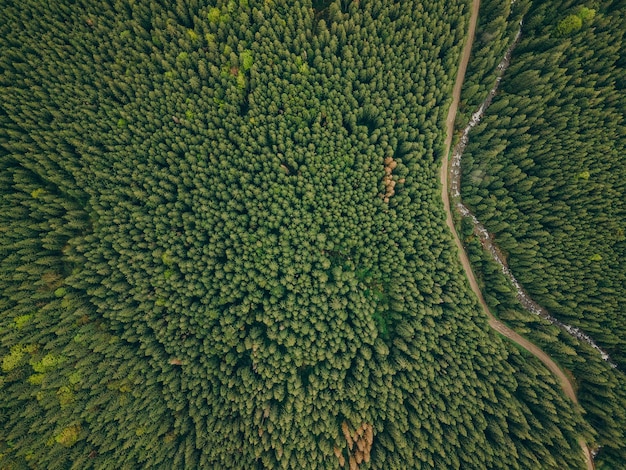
(544, 172)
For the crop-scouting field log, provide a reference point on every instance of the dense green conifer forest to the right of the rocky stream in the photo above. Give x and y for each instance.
(549, 183)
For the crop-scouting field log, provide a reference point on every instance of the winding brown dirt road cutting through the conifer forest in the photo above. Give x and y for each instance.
(501, 328)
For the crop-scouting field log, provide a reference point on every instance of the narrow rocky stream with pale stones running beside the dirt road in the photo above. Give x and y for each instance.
(480, 230)
